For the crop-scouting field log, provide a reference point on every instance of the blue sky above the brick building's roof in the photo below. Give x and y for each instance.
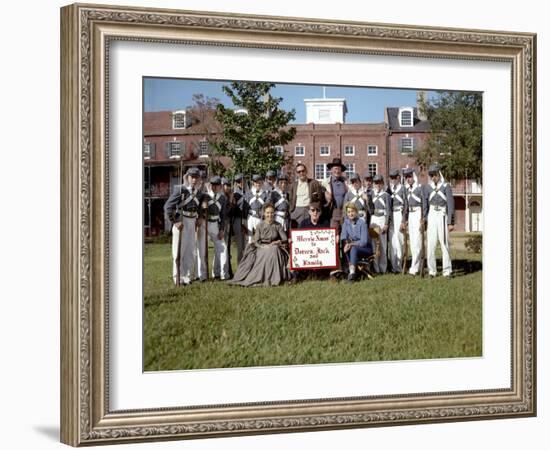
(364, 104)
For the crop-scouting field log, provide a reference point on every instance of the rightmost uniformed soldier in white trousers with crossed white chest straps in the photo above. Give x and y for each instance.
(440, 214)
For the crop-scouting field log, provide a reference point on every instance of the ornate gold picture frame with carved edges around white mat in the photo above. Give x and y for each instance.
(87, 32)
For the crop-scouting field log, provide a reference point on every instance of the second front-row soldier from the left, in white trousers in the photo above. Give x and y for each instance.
(214, 215)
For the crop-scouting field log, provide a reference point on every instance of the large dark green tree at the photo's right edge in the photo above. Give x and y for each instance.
(456, 134)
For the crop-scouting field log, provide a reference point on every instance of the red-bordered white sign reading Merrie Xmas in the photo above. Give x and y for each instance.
(313, 248)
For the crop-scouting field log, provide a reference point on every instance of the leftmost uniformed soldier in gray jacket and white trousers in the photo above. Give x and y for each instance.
(182, 209)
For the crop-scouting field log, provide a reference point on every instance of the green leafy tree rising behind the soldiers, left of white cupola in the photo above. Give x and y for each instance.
(251, 131)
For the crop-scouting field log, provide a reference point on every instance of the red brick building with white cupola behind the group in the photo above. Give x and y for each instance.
(173, 142)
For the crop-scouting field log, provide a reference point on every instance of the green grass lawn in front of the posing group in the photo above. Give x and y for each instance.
(392, 317)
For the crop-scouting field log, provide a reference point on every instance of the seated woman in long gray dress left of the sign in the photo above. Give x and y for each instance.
(264, 260)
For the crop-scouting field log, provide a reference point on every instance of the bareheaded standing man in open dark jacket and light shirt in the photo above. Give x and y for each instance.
(303, 191)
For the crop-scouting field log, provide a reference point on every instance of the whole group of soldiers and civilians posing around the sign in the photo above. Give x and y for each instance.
(370, 218)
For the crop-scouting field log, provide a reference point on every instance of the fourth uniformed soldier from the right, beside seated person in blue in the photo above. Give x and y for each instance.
(381, 220)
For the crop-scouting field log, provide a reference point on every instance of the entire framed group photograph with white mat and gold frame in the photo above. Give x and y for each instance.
(152, 351)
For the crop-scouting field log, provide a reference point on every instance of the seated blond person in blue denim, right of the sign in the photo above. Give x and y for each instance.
(355, 239)
